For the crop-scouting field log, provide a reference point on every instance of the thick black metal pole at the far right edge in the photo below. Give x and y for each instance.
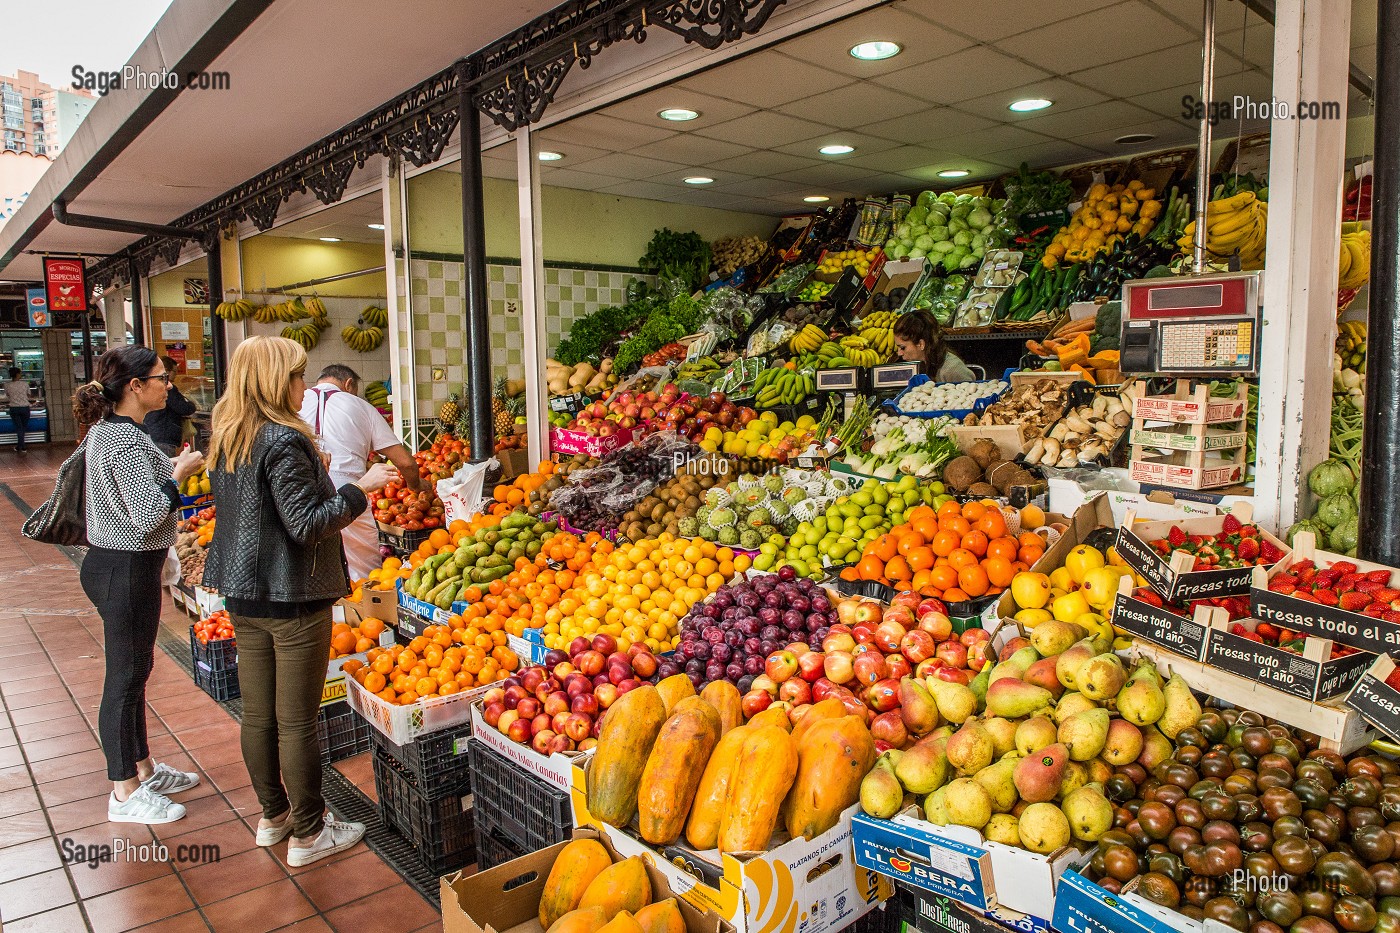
(1380, 533)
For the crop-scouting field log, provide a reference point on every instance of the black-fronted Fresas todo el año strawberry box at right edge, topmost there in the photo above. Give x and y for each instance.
(1314, 618)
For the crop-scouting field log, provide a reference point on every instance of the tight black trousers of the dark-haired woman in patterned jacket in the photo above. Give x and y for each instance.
(125, 586)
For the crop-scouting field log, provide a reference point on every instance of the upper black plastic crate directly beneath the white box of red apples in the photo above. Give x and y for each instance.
(526, 810)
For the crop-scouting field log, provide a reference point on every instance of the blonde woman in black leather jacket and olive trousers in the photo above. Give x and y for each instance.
(276, 558)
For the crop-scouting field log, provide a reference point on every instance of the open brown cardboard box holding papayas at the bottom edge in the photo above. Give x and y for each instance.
(506, 899)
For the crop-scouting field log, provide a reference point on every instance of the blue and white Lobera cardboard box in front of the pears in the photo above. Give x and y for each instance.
(961, 864)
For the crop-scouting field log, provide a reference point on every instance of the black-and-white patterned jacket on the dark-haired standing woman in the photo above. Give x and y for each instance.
(132, 501)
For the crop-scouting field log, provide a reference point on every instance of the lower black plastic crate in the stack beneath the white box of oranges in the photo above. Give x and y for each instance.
(439, 827)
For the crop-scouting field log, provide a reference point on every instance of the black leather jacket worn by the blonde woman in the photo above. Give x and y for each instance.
(279, 520)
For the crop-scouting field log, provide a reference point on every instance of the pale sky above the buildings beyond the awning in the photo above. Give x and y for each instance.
(51, 37)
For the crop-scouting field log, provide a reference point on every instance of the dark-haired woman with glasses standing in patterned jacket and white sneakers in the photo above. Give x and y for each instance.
(132, 504)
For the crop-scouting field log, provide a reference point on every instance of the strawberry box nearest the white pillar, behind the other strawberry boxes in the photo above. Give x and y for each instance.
(1175, 579)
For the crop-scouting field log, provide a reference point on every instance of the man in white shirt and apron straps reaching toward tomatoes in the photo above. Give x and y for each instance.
(351, 432)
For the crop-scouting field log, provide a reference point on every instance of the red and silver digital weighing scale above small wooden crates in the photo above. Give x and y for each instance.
(1198, 326)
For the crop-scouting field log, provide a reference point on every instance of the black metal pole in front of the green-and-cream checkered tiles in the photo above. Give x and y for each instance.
(474, 282)
